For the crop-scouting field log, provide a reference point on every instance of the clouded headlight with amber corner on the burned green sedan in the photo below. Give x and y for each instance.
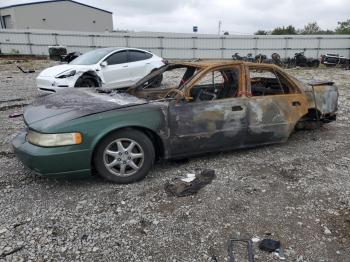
(51, 140)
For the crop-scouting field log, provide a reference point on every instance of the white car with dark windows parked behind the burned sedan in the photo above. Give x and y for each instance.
(108, 68)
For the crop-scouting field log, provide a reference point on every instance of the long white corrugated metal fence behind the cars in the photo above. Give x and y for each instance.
(174, 45)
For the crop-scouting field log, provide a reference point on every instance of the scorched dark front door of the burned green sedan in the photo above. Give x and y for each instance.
(207, 125)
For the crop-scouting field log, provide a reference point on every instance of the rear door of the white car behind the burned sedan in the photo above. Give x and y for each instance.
(139, 63)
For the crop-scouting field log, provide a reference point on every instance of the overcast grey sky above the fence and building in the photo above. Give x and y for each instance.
(237, 16)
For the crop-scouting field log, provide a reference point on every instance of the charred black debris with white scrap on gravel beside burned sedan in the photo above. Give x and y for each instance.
(189, 184)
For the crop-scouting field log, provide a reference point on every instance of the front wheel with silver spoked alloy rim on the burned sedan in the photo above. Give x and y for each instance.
(124, 156)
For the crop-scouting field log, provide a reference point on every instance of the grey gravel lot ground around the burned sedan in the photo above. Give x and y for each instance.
(297, 192)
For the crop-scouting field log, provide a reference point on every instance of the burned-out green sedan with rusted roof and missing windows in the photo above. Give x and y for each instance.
(200, 107)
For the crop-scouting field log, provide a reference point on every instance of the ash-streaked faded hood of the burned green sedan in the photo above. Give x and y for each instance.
(69, 104)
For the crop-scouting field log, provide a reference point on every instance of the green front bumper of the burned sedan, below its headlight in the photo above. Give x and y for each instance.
(52, 161)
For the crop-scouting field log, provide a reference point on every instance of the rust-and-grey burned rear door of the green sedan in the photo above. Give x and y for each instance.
(274, 108)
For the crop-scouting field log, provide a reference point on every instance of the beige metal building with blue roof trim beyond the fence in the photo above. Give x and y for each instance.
(65, 15)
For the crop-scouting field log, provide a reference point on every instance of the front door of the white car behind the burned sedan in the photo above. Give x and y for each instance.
(117, 73)
